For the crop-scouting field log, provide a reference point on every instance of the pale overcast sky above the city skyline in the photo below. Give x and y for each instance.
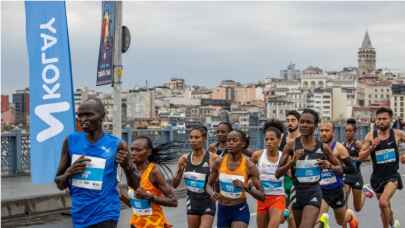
(205, 42)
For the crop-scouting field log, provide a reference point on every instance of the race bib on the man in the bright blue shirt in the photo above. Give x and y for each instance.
(93, 174)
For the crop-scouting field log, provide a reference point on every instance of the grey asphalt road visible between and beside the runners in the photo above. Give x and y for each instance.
(369, 216)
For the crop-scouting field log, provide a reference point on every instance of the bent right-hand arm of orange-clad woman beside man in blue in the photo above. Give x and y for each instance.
(168, 198)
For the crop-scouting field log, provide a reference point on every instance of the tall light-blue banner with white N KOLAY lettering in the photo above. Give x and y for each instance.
(50, 84)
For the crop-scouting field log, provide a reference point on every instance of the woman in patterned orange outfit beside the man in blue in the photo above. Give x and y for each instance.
(153, 192)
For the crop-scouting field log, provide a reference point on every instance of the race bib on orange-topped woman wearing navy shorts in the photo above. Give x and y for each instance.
(227, 188)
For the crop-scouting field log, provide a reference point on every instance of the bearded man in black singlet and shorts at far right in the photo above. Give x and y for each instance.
(382, 144)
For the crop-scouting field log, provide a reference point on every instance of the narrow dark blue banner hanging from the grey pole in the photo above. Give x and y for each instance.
(105, 68)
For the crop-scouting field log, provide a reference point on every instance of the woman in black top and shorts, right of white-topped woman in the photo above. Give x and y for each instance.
(307, 153)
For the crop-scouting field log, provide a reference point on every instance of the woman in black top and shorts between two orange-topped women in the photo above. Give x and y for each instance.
(195, 168)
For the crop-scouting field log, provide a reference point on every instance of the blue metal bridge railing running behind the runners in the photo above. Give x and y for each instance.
(15, 145)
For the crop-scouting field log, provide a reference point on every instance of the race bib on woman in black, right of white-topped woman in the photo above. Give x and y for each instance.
(307, 171)
